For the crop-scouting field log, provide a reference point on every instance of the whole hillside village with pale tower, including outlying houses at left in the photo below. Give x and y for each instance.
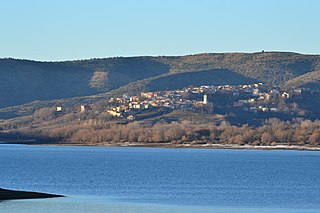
(258, 98)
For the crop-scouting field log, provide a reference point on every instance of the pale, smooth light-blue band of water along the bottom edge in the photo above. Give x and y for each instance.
(98, 205)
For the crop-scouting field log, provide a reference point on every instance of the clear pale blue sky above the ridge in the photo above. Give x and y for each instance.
(76, 29)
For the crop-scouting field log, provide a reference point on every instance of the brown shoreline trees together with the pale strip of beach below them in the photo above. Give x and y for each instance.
(273, 134)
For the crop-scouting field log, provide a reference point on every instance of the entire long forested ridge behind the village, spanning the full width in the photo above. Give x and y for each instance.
(23, 81)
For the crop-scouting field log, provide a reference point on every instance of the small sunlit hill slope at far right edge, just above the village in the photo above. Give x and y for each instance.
(308, 80)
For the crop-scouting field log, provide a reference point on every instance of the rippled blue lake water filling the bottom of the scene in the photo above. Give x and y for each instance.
(104, 179)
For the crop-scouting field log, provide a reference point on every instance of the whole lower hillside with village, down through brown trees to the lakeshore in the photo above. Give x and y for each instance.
(214, 115)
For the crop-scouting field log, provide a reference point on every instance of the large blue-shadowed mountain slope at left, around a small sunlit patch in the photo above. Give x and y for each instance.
(23, 81)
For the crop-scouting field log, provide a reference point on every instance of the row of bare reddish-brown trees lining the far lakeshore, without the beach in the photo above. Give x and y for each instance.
(274, 131)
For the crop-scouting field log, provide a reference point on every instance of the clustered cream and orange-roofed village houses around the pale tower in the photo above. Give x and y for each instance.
(252, 97)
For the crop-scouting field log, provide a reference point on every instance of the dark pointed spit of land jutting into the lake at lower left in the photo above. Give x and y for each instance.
(6, 194)
